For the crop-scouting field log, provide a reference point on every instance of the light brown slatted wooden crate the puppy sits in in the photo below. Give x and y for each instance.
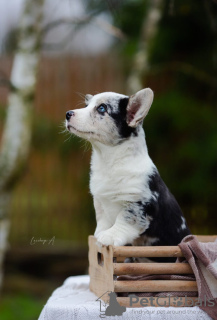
(106, 263)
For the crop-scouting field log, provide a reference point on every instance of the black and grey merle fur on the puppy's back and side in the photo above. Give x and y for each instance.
(162, 216)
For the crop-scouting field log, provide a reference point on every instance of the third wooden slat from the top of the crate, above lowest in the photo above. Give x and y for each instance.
(154, 286)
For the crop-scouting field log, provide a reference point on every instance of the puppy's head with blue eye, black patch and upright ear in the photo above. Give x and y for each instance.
(109, 117)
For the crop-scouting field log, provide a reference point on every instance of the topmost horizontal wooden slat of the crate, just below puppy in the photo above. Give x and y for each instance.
(147, 251)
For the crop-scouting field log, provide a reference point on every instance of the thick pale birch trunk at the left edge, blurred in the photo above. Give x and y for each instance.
(17, 130)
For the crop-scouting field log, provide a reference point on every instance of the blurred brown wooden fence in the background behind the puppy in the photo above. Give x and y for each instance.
(53, 200)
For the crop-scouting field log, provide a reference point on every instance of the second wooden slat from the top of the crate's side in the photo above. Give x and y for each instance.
(151, 268)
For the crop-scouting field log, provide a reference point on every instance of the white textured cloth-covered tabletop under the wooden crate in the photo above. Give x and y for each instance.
(73, 300)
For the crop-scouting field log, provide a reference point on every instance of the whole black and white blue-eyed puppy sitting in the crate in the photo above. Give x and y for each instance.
(132, 203)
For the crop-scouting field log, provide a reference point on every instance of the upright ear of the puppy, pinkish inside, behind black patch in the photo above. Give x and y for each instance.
(138, 106)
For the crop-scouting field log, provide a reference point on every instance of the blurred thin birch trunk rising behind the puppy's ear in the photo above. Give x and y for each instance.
(140, 67)
